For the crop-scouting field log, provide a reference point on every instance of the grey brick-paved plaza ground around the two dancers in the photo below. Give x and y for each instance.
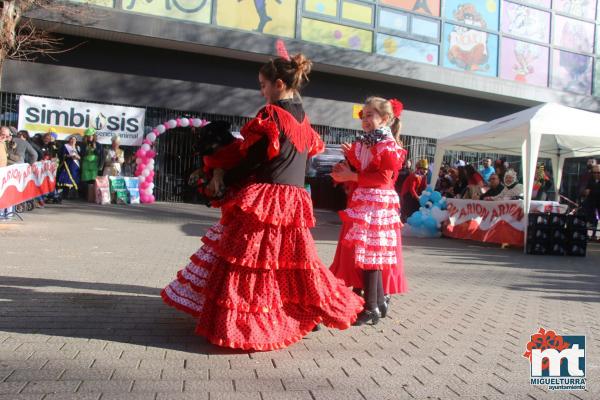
(81, 318)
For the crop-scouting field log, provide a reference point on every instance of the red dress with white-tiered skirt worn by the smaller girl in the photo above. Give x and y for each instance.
(370, 238)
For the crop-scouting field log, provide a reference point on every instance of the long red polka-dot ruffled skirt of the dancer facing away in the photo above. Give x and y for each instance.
(257, 282)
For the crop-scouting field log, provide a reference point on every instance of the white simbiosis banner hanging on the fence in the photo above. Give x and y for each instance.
(66, 117)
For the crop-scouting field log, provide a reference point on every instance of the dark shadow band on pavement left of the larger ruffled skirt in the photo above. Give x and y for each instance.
(89, 310)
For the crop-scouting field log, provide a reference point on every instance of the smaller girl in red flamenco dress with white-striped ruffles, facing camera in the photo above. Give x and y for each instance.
(369, 252)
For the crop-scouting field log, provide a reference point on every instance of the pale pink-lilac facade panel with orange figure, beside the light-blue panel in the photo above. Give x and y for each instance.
(524, 62)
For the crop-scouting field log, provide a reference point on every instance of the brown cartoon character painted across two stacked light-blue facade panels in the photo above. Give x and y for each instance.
(468, 47)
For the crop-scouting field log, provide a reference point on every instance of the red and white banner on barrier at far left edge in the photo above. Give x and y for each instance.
(22, 182)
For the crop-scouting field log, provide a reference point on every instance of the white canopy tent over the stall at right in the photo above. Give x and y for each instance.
(549, 130)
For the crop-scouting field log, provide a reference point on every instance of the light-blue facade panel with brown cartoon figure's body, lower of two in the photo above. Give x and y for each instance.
(470, 50)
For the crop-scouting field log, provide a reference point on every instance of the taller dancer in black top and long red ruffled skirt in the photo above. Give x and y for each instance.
(257, 282)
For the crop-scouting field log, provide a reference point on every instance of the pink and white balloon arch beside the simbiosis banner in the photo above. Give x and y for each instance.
(145, 155)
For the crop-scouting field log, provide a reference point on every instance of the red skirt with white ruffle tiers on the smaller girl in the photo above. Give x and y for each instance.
(370, 240)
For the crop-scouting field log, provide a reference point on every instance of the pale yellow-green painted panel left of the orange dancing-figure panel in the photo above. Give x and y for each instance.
(187, 10)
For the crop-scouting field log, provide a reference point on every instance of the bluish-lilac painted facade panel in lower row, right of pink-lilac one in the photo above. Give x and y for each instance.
(571, 72)
